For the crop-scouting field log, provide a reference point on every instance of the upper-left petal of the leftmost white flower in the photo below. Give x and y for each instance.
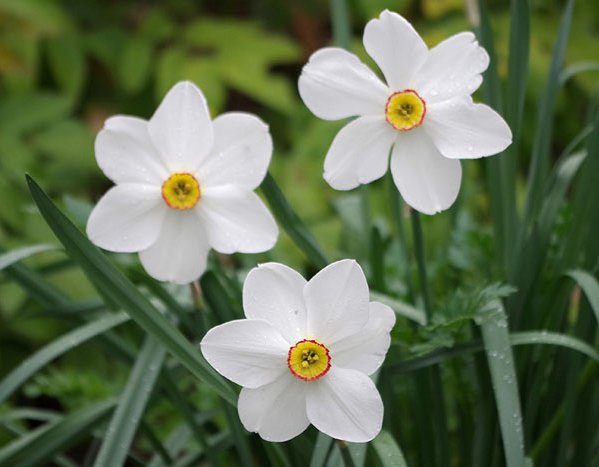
(125, 153)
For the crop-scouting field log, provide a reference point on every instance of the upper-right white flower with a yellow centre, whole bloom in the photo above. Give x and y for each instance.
(424, 111)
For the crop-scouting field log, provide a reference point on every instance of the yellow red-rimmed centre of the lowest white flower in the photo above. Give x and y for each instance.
(308, 360)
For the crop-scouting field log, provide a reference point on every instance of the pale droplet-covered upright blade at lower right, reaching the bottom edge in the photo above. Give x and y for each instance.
(498, 349)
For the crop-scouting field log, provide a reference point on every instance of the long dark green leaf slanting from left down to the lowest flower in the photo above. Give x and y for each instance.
(122, 292)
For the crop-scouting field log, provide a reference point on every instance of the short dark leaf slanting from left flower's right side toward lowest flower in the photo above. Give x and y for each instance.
(292, 224)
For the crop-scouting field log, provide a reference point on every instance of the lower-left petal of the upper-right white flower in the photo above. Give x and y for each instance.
(359, 153)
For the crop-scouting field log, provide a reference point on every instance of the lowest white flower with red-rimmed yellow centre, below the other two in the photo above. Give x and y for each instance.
(304, 353)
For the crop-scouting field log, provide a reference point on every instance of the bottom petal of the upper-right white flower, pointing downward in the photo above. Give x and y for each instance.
(427, 181)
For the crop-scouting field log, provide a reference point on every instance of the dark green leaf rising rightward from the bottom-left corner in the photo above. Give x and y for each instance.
(39, 445)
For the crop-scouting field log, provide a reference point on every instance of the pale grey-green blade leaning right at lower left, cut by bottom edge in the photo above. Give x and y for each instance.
(132, 403)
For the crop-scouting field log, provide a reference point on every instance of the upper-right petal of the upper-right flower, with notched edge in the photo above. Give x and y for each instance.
(452, 68)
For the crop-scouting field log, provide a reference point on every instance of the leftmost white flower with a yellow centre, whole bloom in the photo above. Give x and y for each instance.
(184, 184)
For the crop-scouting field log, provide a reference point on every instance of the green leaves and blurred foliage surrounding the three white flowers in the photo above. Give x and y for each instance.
(81, 383)
